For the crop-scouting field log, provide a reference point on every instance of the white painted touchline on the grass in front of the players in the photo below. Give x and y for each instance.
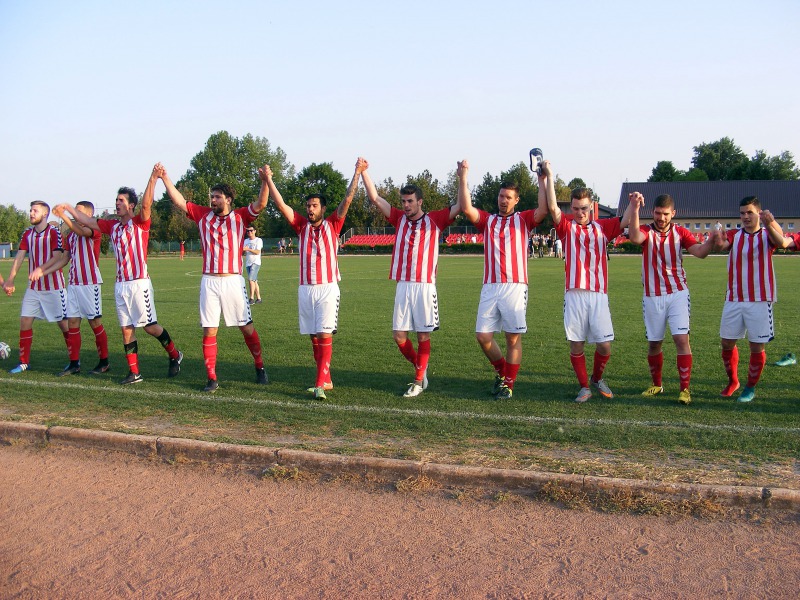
(407, 412)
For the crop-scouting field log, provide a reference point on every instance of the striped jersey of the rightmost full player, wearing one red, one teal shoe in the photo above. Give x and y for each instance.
(750, 274)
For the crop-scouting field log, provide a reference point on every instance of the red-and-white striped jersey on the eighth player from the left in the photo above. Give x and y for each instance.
(585, 258)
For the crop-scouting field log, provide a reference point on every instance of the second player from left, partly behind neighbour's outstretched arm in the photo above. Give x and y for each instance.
(84, 298)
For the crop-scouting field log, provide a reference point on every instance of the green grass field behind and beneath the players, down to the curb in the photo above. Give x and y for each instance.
(455, 420)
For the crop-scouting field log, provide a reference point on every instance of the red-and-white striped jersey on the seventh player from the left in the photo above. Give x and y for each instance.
(505, 246)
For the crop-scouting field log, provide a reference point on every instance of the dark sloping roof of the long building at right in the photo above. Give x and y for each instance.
(717, 199)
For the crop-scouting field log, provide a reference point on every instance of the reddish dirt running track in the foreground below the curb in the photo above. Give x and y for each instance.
(78, 523)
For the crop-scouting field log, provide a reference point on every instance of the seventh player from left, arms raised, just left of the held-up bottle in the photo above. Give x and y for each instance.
(504, 296)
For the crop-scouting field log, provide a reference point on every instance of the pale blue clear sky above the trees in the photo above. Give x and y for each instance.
(96, 92)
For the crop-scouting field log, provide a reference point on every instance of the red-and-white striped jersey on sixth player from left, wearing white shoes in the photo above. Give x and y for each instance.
(416, 246)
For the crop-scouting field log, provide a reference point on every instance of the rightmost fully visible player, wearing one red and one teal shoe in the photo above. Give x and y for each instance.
(751, 291)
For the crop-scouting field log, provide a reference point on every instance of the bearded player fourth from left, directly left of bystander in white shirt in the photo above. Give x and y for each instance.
(222, 230)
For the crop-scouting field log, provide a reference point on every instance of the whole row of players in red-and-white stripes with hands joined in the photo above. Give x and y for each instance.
(228, 243)
